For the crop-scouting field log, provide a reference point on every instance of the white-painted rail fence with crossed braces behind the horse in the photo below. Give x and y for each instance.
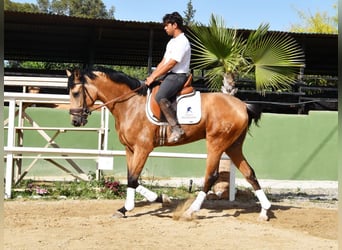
(18, 102)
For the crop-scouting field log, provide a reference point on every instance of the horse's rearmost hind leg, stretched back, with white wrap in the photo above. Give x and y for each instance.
(237, 157)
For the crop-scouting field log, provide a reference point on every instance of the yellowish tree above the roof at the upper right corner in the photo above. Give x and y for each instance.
(320, 22)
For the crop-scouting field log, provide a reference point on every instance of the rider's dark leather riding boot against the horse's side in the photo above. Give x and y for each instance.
(176, 130)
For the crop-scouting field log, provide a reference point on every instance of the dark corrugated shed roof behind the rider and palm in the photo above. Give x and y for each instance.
(57, 38)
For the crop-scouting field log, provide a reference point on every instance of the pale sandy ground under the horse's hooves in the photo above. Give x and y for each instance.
(88, 224)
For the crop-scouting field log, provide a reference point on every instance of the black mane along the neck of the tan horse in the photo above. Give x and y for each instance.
(116, 76)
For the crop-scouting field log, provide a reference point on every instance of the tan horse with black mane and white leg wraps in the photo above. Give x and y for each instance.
(224, 124)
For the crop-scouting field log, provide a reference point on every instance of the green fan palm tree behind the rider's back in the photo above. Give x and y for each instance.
(273, 57)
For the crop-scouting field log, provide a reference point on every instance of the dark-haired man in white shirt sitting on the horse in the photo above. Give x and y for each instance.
(174, 68)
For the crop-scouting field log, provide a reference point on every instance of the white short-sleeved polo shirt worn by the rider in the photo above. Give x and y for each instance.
(179, 49)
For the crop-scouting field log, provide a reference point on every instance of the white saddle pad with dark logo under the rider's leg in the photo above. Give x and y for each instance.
(188, 108)
